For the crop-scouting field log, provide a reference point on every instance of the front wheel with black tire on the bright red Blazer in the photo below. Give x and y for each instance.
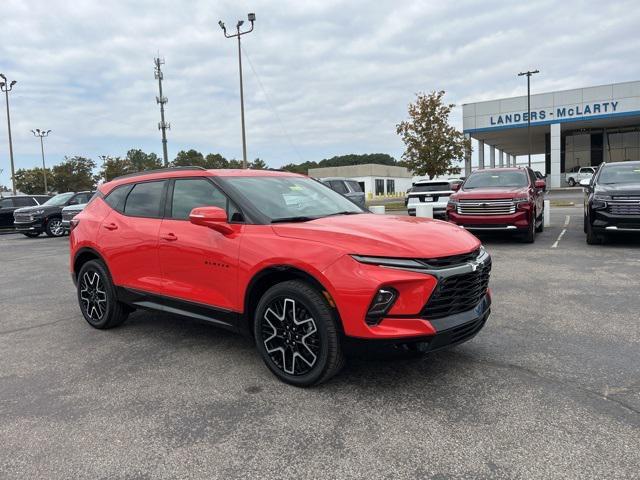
(296, 333)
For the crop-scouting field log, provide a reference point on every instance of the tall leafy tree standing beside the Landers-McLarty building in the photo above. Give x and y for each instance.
(432, 144)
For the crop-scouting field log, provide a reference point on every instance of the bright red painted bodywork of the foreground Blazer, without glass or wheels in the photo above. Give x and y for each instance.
(180, 259)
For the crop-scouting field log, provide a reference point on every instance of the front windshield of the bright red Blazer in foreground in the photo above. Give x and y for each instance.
(292, 198)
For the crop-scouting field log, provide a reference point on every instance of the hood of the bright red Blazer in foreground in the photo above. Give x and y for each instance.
(384, 235)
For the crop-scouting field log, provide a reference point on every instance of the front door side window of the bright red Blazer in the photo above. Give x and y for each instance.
(196, 192)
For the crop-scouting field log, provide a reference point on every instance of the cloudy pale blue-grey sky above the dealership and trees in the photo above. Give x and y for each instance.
(322, 77)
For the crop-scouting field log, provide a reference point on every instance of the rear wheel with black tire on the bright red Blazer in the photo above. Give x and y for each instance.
(97, 297)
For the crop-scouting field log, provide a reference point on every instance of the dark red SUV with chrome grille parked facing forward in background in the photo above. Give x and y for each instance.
(500, 199)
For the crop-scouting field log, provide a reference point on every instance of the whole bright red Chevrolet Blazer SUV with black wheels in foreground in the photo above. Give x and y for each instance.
(278, 256)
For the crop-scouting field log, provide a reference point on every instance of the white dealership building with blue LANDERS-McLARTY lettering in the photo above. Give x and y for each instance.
(581, 127)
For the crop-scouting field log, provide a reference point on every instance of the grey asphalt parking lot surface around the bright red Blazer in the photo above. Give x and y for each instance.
(549, 389)
